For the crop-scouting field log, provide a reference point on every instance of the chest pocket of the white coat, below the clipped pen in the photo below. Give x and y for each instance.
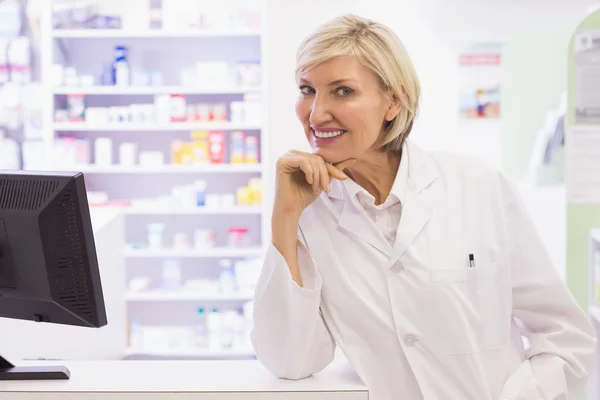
(473, 309)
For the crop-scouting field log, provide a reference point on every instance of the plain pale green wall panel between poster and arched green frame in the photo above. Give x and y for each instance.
(534, 75)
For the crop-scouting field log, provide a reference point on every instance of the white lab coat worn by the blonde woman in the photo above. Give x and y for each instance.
(416, 320)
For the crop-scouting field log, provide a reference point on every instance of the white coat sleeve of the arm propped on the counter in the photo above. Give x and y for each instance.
(290, 337)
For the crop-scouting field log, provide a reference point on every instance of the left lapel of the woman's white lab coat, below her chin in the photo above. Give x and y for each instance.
(354, 220)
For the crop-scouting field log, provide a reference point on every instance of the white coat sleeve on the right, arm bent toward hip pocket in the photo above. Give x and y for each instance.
(562, 339)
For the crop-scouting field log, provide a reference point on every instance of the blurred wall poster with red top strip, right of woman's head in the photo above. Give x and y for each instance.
(480, 74)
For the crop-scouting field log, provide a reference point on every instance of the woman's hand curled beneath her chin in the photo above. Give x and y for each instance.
(301, 178)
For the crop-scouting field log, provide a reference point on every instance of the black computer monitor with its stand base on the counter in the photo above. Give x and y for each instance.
(48, 264)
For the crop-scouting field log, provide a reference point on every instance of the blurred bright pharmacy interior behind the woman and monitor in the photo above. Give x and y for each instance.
(176, 111)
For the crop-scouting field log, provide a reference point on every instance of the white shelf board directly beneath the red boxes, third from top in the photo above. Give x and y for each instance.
(175, 126)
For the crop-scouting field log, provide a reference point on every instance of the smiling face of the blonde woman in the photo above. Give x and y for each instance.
(342, 108)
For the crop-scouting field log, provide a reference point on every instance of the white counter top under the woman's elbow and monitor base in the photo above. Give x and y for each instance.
(189, 380)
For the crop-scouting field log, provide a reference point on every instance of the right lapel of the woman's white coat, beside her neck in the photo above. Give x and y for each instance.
(417, 204)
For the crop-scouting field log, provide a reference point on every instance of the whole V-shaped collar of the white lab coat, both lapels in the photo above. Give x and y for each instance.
(416, 206)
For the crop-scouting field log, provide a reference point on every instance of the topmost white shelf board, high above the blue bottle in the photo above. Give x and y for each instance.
(145, 34)
